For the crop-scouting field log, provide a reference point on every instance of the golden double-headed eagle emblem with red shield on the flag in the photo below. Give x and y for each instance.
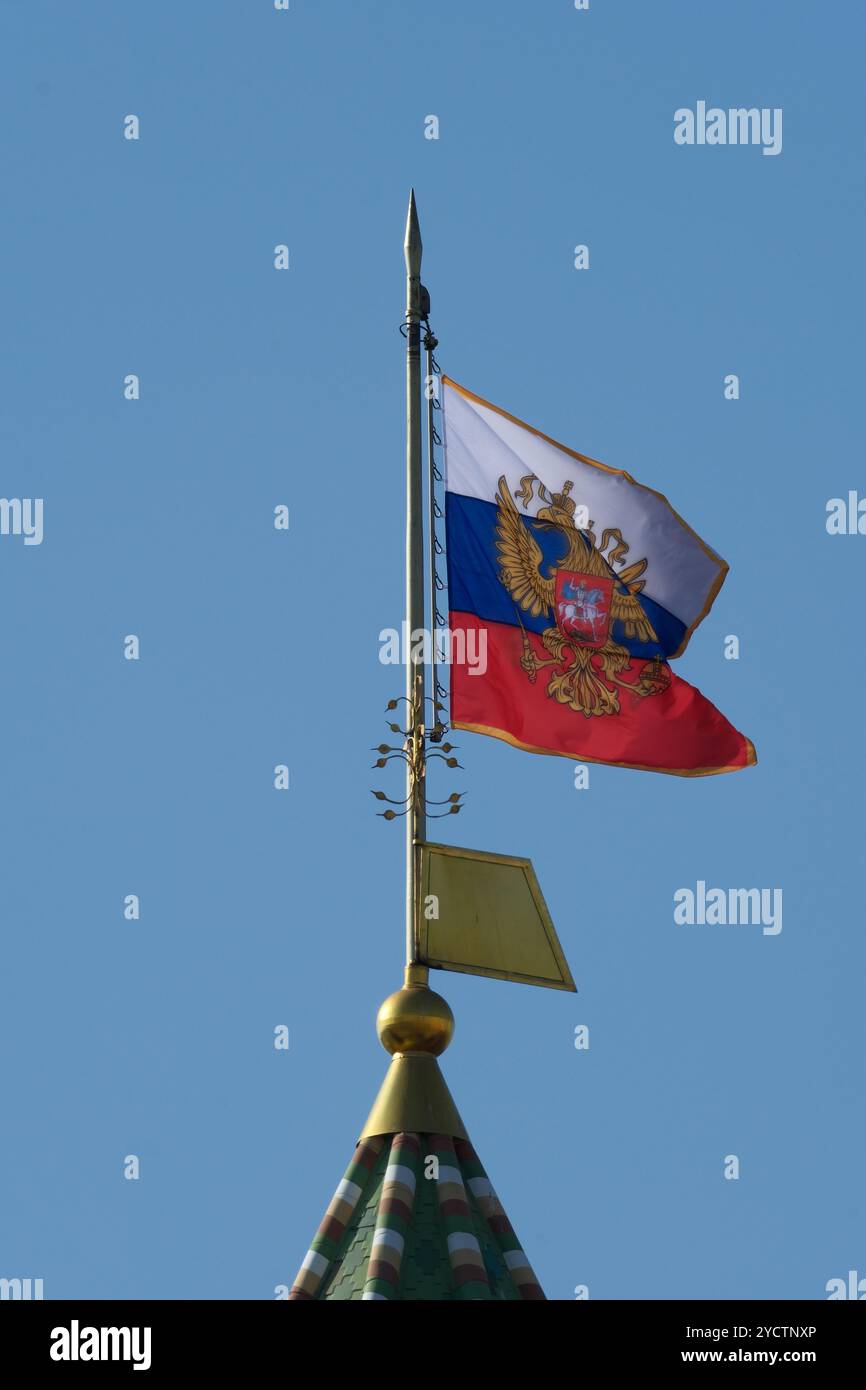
(583, 597)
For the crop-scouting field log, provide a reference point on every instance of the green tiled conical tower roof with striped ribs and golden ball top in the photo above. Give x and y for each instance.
(415, 1217)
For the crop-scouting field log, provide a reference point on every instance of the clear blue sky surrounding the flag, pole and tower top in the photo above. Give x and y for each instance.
(261, 648)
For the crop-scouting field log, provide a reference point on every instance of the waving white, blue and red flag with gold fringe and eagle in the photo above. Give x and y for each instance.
(579, 586)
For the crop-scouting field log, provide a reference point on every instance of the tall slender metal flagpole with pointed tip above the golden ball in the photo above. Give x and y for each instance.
(416, 828)
